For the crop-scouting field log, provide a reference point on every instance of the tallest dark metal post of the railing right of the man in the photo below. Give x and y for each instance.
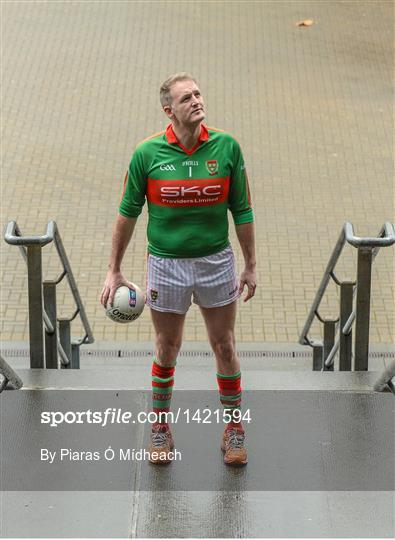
(364, 280)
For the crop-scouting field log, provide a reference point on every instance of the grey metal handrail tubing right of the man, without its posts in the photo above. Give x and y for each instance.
(385, 238)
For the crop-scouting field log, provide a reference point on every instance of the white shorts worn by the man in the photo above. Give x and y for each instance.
(211, 280)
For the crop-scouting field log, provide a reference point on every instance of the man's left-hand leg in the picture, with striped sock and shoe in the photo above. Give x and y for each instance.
(168, 330)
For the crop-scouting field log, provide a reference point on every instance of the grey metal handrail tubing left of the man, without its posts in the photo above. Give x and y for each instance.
(14, 236)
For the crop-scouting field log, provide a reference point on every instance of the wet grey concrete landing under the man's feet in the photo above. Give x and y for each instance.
(320, 462)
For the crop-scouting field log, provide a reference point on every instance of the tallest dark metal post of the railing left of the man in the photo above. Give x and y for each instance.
(36, 329)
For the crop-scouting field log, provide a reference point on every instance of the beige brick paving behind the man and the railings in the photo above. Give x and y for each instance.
(312, 108)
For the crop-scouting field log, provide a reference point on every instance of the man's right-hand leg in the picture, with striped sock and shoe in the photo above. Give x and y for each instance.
(220, 323)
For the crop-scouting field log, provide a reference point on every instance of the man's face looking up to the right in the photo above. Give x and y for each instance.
(187, 106)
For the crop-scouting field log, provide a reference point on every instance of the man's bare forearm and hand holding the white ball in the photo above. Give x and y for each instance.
(122, 233)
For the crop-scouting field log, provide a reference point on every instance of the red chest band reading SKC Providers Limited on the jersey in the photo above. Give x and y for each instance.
(203, 192)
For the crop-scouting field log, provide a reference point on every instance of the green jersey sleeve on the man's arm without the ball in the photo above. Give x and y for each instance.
(239, 194)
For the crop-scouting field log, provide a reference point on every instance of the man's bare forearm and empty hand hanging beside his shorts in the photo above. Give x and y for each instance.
(246, 237)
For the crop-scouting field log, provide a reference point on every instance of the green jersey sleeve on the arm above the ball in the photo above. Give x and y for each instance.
(134, 189)
